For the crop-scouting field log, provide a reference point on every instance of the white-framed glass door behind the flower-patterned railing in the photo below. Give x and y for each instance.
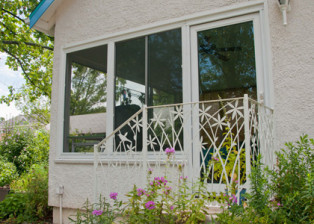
(226, 63)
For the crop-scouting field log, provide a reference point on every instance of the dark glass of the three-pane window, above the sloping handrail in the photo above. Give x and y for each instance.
(147, 71)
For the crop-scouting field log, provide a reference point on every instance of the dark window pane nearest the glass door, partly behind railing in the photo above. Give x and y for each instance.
(165, 87)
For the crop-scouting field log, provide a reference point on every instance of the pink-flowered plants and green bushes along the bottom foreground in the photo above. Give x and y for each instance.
(284, 194)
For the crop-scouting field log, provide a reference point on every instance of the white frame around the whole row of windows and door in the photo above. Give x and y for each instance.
(186, 23)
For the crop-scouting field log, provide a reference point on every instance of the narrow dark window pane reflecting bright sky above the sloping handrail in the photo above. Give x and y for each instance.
(129, 79)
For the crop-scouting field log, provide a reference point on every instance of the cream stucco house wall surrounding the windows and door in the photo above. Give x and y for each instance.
(292, 66)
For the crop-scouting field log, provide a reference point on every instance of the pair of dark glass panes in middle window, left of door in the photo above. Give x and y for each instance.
(148, 71)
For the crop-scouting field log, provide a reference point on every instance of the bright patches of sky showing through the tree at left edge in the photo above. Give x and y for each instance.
(8, 77)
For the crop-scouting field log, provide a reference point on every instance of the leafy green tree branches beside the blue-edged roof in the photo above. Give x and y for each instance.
(27, 49)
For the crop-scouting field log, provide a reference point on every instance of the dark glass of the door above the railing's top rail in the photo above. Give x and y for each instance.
(227, 62)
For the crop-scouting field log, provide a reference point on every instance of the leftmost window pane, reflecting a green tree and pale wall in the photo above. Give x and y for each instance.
(86, 99)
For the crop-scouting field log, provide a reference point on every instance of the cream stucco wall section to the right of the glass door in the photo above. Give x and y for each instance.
(293, 70)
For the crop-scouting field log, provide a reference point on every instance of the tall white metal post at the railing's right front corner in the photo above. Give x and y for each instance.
(247, 137)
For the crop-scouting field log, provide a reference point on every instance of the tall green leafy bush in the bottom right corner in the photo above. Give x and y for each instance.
(282, 195)
